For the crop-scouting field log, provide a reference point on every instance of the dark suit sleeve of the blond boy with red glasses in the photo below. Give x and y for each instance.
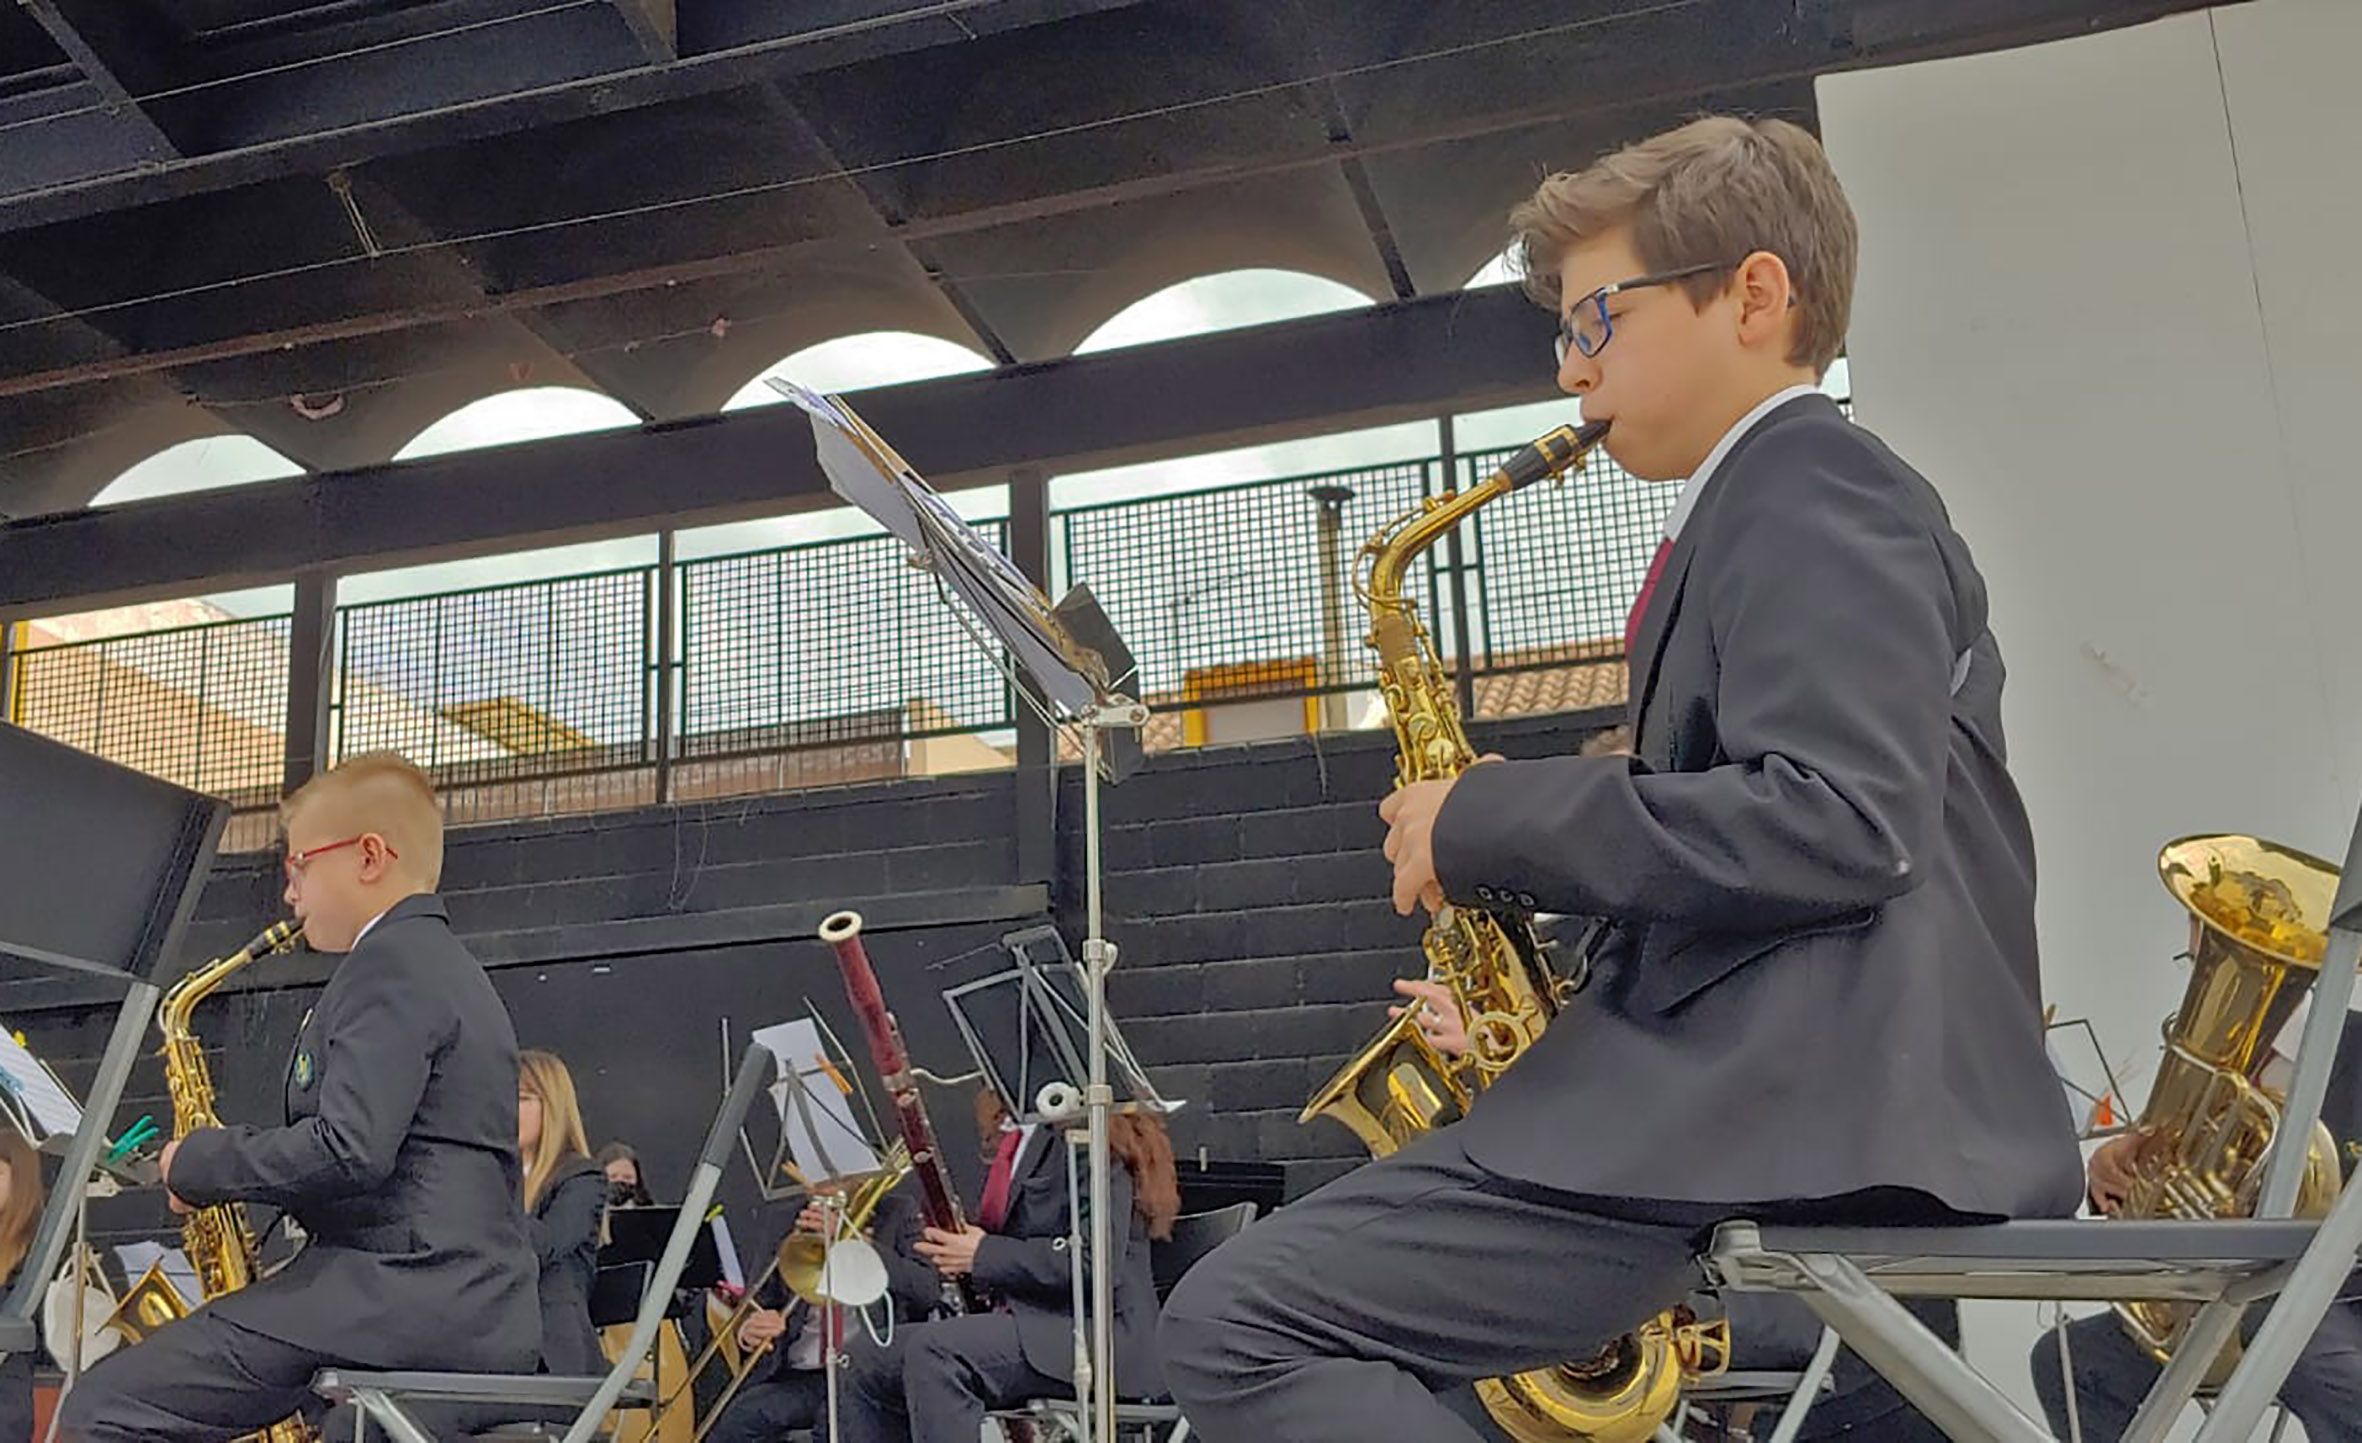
(374, 1069)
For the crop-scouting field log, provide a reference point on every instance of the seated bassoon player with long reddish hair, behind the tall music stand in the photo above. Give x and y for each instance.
(939, 1380)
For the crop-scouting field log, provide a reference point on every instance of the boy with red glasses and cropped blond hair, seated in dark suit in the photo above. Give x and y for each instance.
(398, 1154)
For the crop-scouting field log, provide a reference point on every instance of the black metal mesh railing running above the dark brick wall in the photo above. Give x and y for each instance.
(835, 660)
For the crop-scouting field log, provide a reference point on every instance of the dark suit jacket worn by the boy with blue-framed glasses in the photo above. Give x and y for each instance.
(1820, 977)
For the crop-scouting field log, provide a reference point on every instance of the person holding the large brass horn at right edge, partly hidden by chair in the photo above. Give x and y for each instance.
(2113, 1373)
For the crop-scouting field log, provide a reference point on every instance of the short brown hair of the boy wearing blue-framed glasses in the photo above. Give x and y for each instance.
(1711, 192)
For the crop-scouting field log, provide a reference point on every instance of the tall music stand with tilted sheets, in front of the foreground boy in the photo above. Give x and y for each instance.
(1078, 691)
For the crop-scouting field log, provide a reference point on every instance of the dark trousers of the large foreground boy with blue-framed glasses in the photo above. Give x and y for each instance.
(1343, 1314)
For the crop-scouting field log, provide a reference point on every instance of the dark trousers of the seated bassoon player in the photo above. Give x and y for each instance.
(939, 1380)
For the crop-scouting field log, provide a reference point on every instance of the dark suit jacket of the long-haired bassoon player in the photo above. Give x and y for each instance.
(1024, 1262)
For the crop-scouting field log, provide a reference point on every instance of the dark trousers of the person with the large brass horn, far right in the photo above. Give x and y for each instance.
(2113, 1376)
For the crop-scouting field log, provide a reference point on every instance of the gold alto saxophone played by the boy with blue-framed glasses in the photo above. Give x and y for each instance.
(1496, 969)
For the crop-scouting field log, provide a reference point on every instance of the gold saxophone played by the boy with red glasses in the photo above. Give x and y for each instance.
(221, 1243)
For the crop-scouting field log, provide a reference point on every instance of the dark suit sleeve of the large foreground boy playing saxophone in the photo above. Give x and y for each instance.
(1834, 629)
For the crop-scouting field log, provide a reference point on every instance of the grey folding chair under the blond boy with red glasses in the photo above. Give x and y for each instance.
(391, 1399)
